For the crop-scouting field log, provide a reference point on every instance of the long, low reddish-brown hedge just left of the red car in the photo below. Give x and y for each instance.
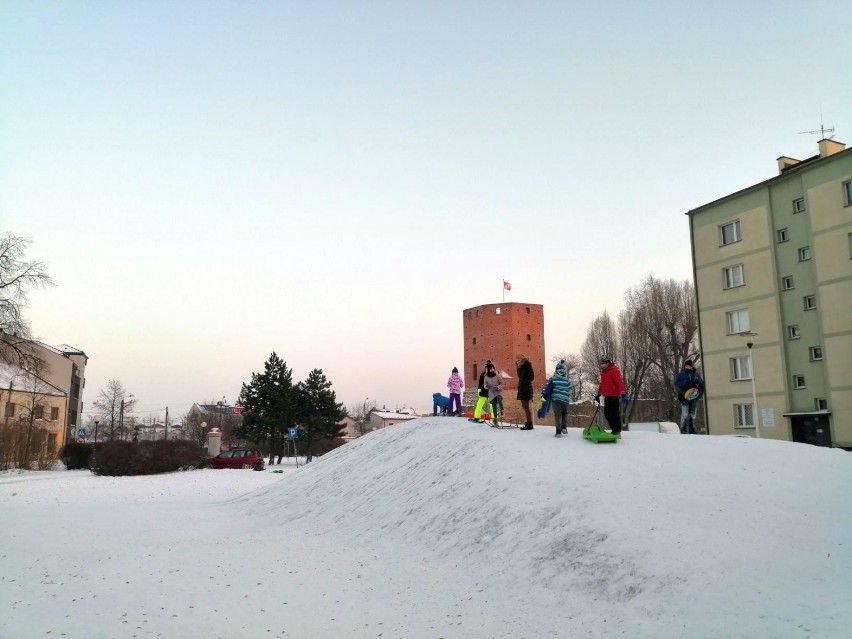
(146, 458)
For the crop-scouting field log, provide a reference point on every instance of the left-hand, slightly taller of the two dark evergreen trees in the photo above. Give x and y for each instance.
(269, 403)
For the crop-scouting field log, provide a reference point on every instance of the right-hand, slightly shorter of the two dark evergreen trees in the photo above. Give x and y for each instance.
(319, 413)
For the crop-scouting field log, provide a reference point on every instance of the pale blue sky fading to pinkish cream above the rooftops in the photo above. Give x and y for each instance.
(334, 181)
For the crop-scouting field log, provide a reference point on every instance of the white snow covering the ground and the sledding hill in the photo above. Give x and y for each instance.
(440, 528)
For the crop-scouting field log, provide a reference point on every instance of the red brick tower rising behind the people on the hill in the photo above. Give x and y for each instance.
(499, 332)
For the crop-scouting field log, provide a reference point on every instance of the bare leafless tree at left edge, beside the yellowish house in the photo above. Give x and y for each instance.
(17, 277)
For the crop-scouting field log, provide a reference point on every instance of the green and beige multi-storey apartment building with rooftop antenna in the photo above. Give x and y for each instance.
(773, 277)
